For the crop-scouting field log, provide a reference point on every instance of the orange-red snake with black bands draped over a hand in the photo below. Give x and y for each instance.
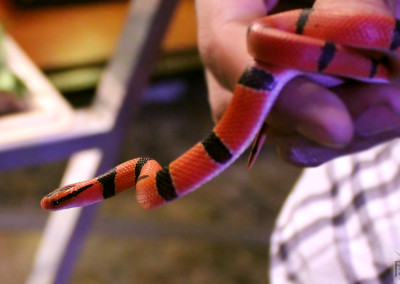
(323, 44)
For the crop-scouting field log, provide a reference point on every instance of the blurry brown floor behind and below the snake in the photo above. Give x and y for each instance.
(218, 234)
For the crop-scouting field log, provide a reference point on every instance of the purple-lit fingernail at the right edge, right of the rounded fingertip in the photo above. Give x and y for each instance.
(377, 119)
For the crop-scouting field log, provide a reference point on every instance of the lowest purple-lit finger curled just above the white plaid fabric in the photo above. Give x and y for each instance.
(374, 108)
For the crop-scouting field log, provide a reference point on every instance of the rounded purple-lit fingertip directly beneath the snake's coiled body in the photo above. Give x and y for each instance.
(312, 111)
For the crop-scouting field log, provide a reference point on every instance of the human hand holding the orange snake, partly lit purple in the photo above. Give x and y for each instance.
(309, 124)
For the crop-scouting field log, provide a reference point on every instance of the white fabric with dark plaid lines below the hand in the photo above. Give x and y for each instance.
(341, 223)
